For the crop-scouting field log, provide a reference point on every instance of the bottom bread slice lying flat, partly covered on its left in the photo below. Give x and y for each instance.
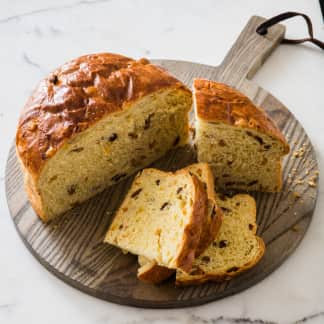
(236, 248)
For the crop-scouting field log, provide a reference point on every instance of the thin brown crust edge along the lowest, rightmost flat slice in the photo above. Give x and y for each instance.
(200, 279)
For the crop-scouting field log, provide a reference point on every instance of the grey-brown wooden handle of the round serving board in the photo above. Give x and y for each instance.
(249, 52)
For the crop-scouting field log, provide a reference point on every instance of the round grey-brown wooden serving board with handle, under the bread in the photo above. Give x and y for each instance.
(71, 247)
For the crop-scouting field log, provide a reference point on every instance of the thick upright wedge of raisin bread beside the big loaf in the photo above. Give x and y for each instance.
(241, 143)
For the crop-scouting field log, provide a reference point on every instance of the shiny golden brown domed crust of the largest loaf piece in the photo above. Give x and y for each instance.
(76, 95)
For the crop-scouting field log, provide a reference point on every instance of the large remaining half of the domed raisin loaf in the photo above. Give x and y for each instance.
(93, 122)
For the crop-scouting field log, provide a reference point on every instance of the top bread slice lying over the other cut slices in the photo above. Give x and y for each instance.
(161, 218)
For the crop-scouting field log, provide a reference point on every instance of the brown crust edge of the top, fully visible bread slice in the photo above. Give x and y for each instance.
(193, 230)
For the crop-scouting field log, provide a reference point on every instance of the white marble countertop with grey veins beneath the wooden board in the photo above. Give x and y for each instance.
(38, 35)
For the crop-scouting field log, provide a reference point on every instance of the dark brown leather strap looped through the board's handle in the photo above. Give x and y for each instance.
(263, 28)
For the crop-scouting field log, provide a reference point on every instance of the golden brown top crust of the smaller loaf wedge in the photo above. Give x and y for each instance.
(218, 102)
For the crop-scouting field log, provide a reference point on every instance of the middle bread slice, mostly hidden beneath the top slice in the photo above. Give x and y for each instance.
(150, 271)
